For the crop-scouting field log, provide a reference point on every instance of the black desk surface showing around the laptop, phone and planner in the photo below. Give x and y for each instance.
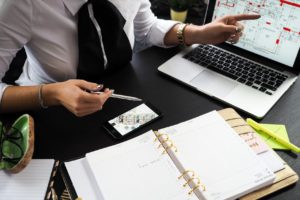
(61, 135)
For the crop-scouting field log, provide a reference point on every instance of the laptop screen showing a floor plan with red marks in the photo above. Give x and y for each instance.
(276, 35)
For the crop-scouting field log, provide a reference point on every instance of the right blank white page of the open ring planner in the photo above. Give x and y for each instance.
(224, 163)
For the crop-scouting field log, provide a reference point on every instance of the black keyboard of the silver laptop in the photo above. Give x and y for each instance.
(242, 70)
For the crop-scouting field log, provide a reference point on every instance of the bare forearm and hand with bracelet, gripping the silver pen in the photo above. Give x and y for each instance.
(71, 94)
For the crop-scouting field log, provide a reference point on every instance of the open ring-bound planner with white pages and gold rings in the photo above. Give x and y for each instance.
(207, 157)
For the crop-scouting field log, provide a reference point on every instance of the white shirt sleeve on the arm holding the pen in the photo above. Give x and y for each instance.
(15, 24)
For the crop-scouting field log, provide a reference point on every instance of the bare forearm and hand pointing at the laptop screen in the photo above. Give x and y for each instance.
(218, 31)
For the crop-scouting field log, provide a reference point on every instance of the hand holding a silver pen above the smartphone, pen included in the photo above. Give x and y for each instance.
(77, 96)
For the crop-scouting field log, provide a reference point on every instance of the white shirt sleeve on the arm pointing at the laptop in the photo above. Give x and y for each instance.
(148, 29)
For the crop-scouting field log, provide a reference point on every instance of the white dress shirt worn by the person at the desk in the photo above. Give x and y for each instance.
(48, 31)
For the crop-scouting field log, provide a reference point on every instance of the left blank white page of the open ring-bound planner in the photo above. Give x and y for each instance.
(137, 169)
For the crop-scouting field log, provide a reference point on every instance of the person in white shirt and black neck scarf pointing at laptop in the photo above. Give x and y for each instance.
(48, 31)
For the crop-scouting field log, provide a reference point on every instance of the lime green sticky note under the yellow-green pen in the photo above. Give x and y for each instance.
(279, 130)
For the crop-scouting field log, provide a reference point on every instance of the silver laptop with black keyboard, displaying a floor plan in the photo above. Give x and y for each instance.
(253, 74)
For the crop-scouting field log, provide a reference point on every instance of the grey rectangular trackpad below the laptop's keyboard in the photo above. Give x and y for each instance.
(209, 82)
